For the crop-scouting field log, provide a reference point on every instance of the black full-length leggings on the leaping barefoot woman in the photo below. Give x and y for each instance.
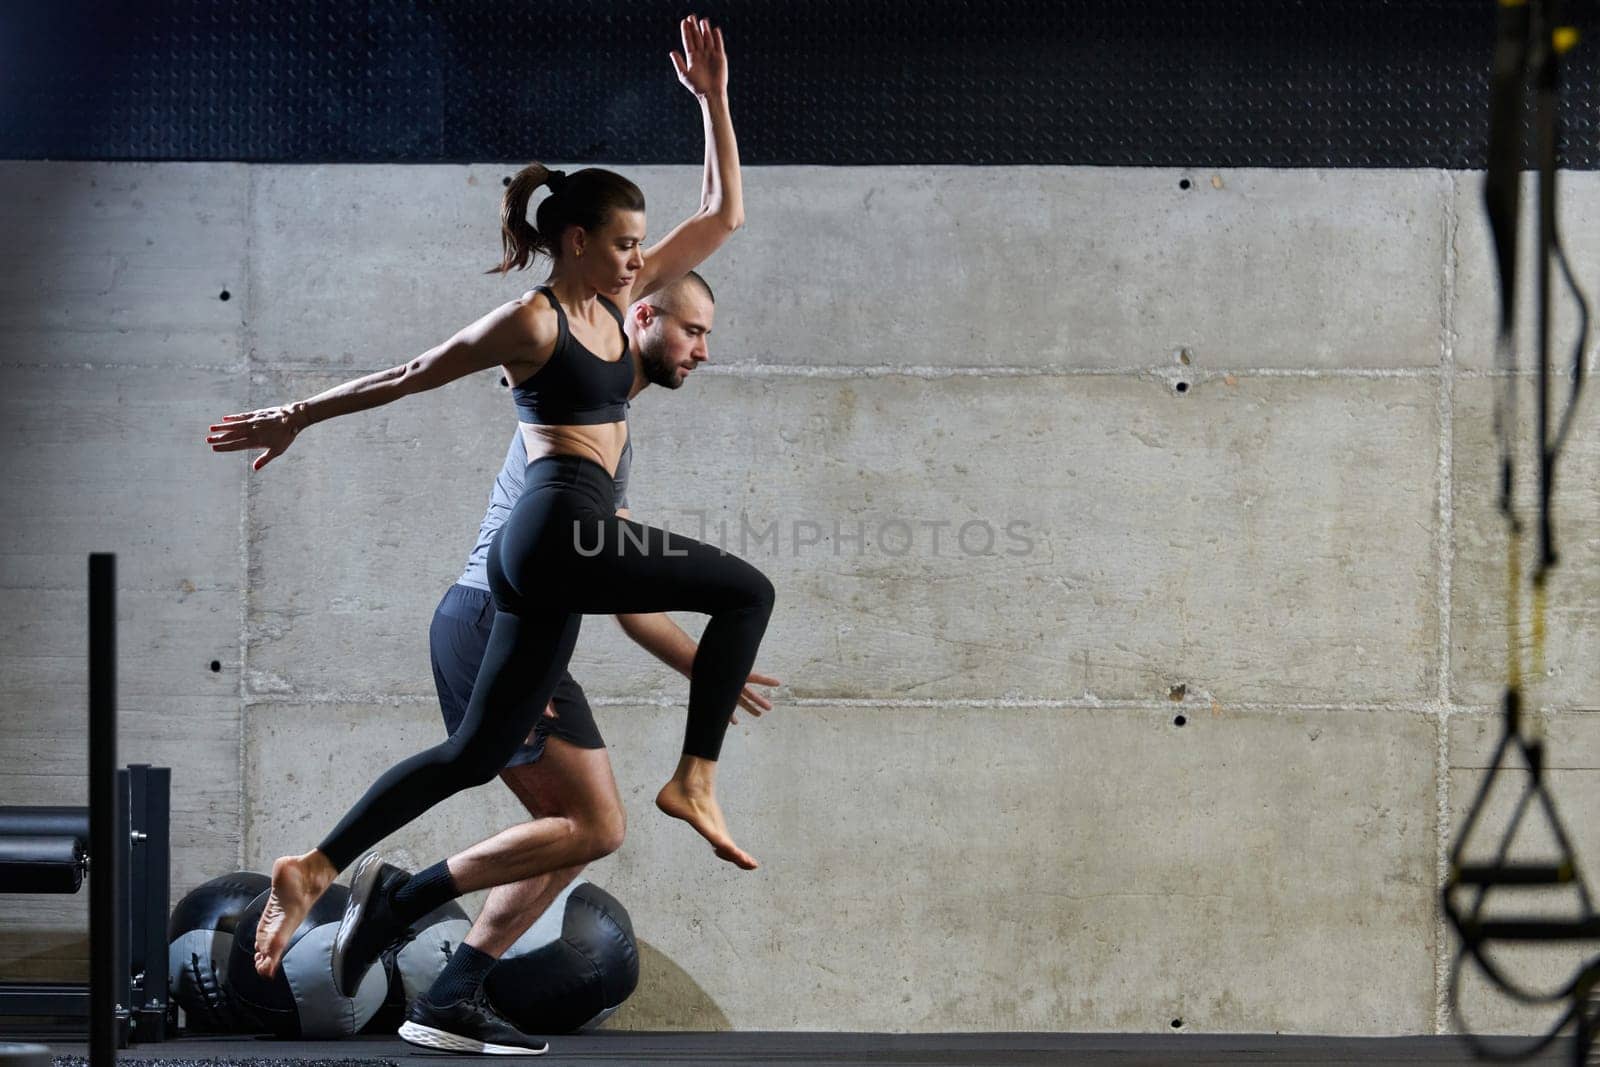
(561, 556)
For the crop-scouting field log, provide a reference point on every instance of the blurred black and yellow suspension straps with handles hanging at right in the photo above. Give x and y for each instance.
(1530, 41)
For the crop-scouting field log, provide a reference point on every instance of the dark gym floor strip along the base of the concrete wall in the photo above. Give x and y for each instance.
(615, 1049)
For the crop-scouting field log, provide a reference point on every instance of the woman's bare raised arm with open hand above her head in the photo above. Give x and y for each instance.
(703, 70)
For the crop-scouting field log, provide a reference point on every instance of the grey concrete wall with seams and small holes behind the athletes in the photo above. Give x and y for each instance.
(1186, 749)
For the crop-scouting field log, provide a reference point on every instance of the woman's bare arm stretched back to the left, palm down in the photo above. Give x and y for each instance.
(513, 334)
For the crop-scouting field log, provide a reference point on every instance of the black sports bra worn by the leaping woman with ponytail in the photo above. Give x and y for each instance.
(575, 386)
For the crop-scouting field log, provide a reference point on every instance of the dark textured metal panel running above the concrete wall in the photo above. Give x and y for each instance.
(849, 82)
